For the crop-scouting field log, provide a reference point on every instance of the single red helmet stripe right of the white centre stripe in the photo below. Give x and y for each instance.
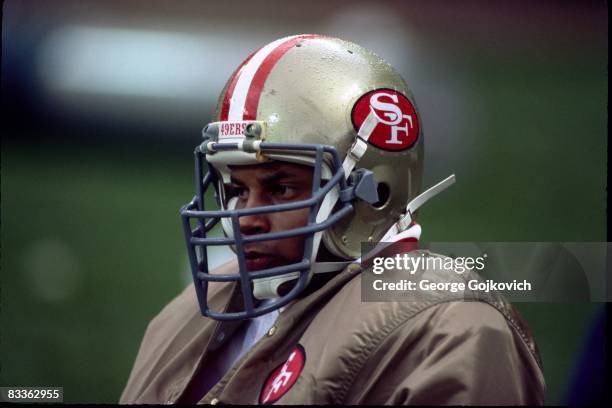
(252, 99)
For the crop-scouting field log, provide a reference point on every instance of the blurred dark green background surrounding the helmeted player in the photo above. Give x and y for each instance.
(513, 102)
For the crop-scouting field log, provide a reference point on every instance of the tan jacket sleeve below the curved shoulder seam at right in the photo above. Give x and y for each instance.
(466, 348)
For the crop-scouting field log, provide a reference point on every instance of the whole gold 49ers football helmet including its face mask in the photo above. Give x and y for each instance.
(320, 101)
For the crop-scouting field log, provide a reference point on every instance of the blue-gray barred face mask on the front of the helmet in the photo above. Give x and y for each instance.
(198, 222)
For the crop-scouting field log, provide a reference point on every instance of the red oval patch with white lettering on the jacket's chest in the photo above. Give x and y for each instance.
(283, 378)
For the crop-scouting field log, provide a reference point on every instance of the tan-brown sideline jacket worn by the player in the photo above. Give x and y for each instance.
(439, 350)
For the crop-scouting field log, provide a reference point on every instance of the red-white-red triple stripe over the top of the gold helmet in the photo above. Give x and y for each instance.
(244, 89)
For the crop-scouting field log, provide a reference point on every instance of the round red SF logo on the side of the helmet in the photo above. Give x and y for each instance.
(397, 126)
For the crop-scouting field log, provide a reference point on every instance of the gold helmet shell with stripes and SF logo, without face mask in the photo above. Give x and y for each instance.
(311, 89)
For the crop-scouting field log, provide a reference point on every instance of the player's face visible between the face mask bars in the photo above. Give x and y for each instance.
(269, 184)
